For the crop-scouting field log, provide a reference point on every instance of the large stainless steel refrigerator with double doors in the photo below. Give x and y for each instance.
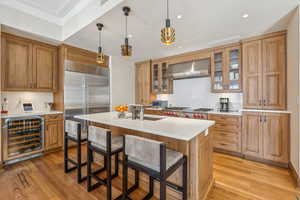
(86, 90)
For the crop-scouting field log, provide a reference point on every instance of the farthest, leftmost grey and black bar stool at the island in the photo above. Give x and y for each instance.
(73, 133)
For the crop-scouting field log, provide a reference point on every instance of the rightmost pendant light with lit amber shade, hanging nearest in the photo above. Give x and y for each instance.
(168, 33)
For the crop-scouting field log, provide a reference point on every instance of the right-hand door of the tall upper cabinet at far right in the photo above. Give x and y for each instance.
(274, 73)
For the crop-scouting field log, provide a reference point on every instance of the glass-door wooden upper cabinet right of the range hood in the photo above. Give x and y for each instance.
(226, 69)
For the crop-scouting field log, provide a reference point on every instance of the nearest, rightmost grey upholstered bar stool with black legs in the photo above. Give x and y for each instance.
(153, 158)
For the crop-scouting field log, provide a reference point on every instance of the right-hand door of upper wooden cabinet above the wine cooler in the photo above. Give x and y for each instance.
(45, 65)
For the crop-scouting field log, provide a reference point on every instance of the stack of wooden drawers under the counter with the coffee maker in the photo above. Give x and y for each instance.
(226, 132)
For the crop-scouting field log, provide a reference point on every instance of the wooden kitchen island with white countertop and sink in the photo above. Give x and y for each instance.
(188, 136)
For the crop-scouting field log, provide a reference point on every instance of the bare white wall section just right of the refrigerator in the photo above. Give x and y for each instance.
(122, 81)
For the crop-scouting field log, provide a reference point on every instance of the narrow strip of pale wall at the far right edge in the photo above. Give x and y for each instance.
(293, 86)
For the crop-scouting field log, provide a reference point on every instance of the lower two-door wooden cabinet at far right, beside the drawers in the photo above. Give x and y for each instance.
(265, 136)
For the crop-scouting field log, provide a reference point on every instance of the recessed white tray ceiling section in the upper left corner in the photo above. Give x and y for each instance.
(55, 19)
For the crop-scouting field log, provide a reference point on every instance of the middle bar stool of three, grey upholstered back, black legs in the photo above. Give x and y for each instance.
(103, 142)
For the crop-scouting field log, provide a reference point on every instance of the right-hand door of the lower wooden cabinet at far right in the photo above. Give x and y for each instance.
(276, 136)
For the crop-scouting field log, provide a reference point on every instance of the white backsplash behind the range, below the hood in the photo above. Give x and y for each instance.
(196, 92)
